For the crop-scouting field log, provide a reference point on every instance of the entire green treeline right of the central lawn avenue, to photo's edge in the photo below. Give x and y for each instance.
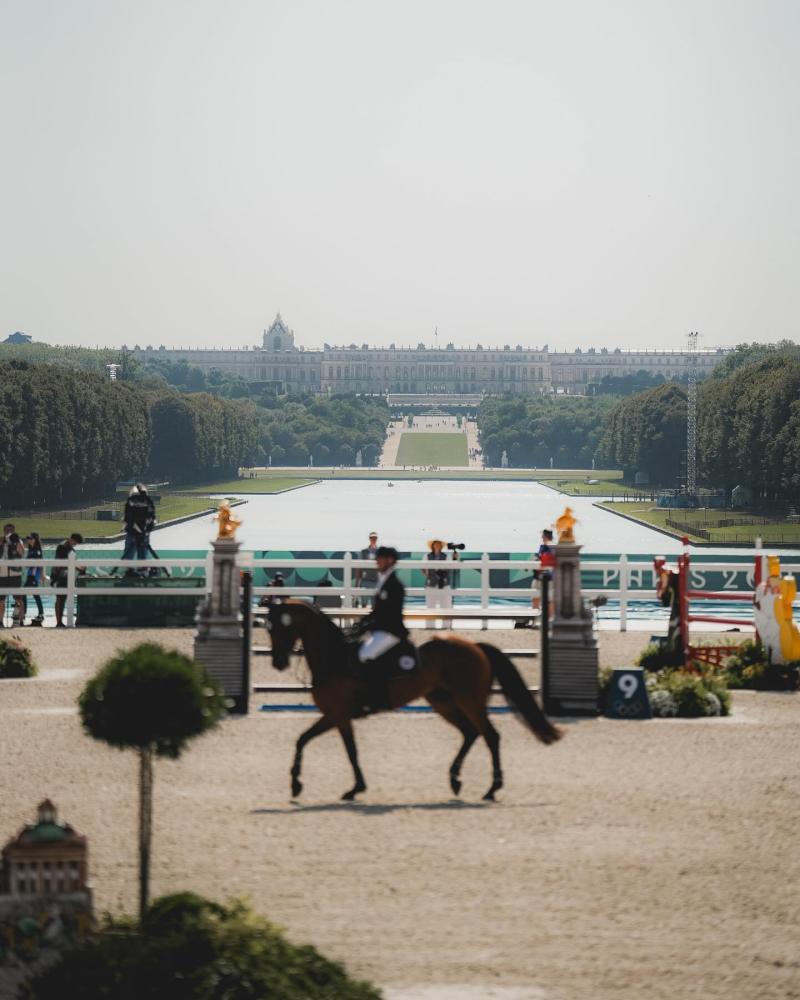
(748, 428)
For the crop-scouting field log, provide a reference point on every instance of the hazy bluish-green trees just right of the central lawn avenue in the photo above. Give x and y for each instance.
(532, 430)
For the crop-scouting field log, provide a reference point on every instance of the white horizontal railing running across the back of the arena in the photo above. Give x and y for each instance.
(629, 574)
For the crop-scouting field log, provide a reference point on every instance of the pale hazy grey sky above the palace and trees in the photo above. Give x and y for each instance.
(576, 173)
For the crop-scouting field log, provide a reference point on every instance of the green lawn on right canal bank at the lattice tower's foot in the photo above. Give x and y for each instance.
(774, 532)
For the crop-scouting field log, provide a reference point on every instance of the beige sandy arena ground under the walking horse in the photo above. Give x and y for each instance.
(631, 860)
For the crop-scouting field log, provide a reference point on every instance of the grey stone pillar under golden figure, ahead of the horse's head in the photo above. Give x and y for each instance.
(219, 642)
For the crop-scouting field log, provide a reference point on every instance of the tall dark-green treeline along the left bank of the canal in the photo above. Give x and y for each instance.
(71, 435)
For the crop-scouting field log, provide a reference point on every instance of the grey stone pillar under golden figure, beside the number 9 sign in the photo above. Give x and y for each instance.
(572, 687)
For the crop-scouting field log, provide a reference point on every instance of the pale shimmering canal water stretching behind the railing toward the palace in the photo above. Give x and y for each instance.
(486, 516)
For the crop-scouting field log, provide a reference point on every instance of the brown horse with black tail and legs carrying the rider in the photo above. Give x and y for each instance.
(454, 676)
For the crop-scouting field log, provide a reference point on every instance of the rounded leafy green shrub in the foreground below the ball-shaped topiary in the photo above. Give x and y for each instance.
(188, 947)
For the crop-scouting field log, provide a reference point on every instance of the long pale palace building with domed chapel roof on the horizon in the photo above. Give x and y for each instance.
(280, 364)
